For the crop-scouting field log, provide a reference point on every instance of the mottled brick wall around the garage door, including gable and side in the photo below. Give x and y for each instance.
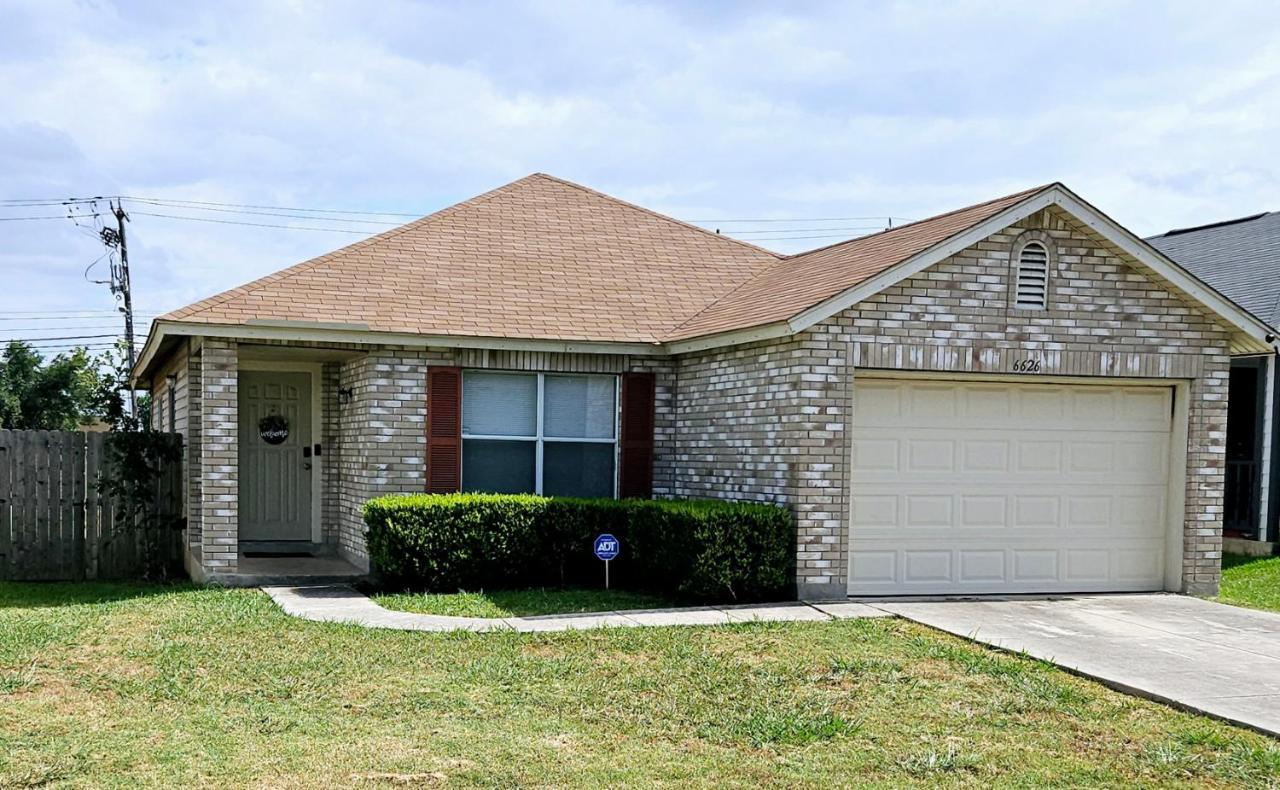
(772, 421)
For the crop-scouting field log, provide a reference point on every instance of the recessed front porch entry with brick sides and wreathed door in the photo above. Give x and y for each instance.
(286, 445)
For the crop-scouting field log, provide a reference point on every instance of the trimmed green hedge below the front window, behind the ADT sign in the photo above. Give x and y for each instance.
(698, 550)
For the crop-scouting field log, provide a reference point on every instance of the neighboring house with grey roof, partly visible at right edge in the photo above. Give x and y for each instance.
(1241, 259)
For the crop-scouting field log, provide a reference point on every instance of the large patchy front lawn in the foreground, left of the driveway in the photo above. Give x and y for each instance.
(145, 687)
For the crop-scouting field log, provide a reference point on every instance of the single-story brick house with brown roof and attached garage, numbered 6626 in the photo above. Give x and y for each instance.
(1020, 396)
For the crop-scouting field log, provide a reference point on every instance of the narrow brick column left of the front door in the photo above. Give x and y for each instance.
(220, 421)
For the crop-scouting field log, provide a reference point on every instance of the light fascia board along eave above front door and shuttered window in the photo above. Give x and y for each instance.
(303, 332)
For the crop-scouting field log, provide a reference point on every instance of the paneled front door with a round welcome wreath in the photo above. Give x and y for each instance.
(275, 456)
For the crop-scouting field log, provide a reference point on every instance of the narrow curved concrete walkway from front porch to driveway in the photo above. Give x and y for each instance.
(344, 604)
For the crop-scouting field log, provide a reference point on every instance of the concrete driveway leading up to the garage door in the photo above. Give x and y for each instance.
(1208, 657)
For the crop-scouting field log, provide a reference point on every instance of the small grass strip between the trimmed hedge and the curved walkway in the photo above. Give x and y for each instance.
(515, 604)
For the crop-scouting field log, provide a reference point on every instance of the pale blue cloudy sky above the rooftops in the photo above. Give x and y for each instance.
(817, 115)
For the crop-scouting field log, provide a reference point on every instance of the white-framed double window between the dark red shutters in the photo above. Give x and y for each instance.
(552, 435)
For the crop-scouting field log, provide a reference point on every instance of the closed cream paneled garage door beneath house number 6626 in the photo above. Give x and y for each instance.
(995, 487)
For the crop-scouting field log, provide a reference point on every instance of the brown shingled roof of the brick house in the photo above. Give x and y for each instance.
(547, 259)
